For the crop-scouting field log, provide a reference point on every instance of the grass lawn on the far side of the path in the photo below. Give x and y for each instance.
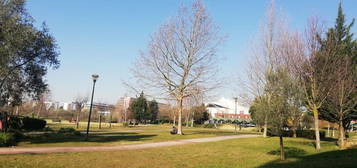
(118, 135)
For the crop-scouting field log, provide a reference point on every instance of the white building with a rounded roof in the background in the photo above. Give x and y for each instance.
(225, 108)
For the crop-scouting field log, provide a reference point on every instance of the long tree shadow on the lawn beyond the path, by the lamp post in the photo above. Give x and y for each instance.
(93, 137)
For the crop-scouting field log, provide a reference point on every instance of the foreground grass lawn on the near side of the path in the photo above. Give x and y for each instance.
(250, 152)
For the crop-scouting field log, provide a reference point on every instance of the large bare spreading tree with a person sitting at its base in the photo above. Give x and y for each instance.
(182, 54)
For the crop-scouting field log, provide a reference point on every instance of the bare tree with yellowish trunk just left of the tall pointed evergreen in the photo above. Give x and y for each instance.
(314, 72)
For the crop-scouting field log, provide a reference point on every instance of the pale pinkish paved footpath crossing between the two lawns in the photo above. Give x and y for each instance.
(37, 150)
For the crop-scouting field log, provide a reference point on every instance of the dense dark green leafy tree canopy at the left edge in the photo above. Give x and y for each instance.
(26, 53)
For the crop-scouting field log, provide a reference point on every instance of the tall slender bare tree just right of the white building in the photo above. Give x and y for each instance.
(263, 60)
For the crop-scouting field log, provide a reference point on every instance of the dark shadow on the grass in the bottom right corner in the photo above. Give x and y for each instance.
(332, 159)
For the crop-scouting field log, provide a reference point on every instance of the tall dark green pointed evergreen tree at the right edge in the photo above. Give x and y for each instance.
(339, 47)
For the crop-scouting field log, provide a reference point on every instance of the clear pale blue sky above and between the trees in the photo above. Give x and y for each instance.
(105, 36)
